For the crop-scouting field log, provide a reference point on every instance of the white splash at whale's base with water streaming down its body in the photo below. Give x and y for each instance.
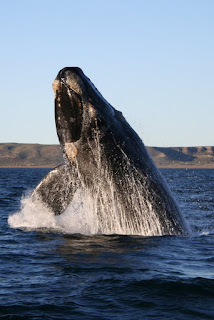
(106, 207)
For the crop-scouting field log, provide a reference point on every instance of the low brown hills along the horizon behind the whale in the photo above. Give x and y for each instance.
(36, 155)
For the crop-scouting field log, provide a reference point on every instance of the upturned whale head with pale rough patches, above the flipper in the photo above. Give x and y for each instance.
(80, 110)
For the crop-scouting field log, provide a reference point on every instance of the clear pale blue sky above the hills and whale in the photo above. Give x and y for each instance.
(152, 60)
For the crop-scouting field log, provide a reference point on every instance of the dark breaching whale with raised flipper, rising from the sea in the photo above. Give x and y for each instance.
(105, 159)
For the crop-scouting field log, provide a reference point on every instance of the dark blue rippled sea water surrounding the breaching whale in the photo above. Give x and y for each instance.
(46, 273)
